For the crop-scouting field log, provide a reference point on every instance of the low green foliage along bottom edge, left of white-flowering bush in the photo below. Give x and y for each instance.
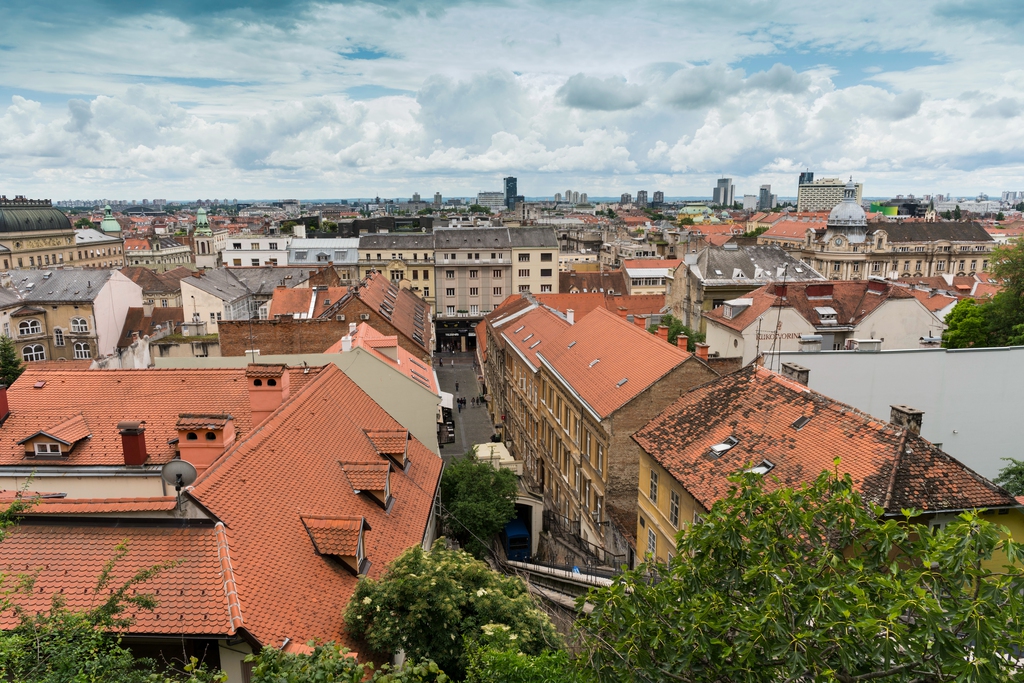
(331, 663)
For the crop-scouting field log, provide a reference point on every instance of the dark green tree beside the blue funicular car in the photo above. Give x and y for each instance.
(477, 502)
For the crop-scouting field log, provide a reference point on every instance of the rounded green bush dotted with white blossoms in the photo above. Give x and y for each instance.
(431, 604)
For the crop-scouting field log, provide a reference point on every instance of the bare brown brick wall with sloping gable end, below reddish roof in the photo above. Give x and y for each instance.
(286, 335)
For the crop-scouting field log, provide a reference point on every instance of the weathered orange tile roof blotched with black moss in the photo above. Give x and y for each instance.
(758, 408)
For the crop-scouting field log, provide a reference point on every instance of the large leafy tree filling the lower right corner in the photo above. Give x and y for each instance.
(812, 585)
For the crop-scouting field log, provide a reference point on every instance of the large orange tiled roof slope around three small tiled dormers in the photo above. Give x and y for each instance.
(289, 468)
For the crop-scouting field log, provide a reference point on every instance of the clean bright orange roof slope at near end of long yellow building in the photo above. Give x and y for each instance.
(616, 346)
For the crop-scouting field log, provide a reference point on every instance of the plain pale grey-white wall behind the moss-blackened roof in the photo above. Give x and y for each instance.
(971, 398)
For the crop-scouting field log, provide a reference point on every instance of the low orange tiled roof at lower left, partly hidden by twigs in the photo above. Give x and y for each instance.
(192, 597)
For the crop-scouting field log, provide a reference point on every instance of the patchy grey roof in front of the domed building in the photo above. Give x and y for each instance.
(760, 264)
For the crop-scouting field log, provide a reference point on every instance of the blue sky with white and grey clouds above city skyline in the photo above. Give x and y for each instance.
(281, 99)
